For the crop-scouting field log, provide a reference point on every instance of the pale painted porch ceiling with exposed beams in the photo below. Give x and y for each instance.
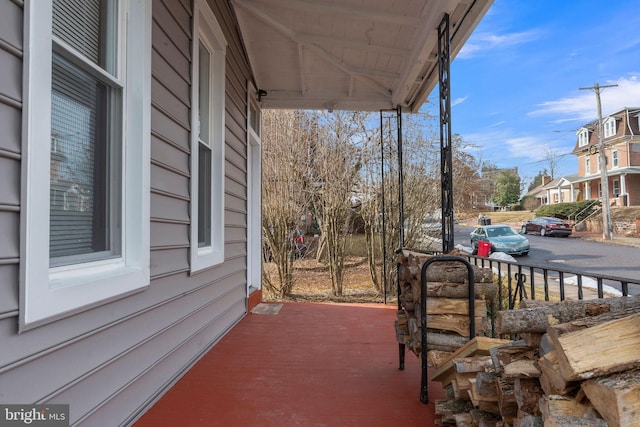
(350, 54)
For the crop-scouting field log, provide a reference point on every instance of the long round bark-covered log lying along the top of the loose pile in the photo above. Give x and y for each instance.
(538, 319)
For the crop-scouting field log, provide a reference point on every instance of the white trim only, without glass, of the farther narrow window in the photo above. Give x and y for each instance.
(205, 26)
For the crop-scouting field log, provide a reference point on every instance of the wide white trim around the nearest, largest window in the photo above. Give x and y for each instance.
(48, 294)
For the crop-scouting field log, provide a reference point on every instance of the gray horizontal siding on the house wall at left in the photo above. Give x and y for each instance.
(110, 363)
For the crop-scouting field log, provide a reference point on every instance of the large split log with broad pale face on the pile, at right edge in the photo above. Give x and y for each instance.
(600, 350)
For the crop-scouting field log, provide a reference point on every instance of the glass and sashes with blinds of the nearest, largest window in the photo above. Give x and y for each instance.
(85, 116)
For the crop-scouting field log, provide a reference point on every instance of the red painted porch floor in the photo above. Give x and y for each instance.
(308, 365)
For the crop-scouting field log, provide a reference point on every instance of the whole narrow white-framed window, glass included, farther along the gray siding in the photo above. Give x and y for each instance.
(207, 138)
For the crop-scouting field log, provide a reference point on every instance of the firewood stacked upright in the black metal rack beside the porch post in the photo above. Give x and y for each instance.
(447, 311)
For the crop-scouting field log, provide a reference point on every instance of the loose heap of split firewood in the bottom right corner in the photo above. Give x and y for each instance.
(575, 363)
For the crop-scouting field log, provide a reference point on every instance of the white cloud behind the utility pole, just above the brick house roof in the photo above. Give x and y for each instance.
(582, 107)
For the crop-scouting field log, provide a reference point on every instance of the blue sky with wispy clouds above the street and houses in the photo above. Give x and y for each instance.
(515, 85)
